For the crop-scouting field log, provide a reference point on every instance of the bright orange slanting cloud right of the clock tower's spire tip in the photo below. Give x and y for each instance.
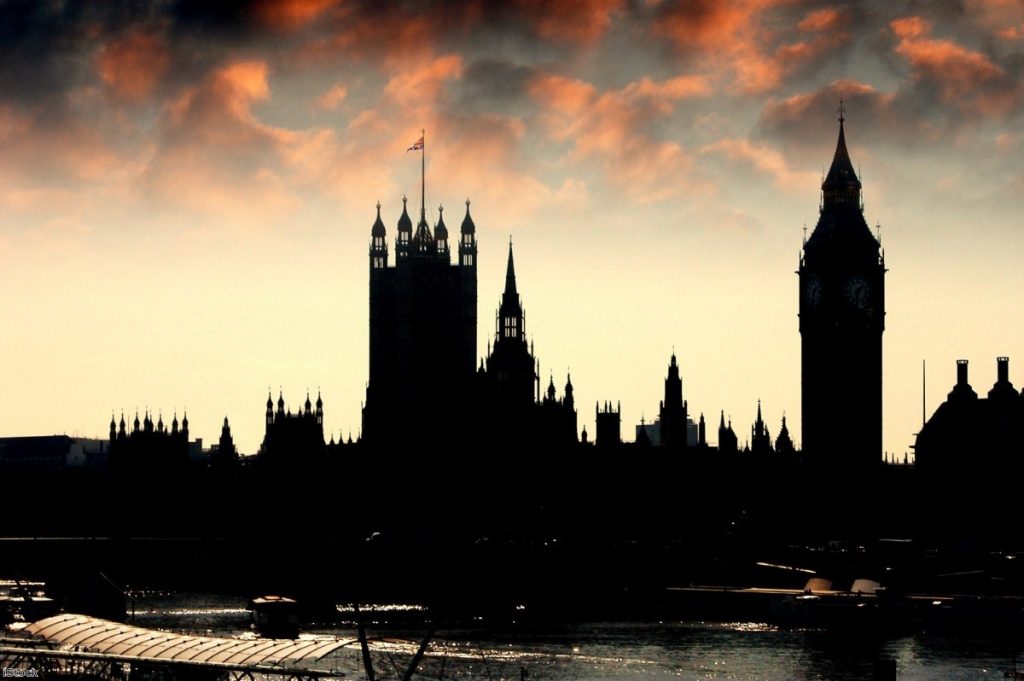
(964, 78)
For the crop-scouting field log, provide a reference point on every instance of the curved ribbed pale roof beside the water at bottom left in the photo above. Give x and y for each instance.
(101, 636)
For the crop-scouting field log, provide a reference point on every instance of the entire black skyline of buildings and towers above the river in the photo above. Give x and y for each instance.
(438, 416)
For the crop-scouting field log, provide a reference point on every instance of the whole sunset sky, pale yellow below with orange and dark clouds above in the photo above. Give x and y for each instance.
(187, 191)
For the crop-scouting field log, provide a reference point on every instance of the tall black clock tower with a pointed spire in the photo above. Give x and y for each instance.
(842, 318)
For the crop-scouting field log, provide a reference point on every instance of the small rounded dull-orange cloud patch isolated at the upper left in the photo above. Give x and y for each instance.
(133, 66)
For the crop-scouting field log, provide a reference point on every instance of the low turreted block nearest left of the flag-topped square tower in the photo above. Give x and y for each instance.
(293, 441)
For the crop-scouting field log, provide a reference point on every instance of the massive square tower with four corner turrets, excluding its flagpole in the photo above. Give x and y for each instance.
(422, 330)
